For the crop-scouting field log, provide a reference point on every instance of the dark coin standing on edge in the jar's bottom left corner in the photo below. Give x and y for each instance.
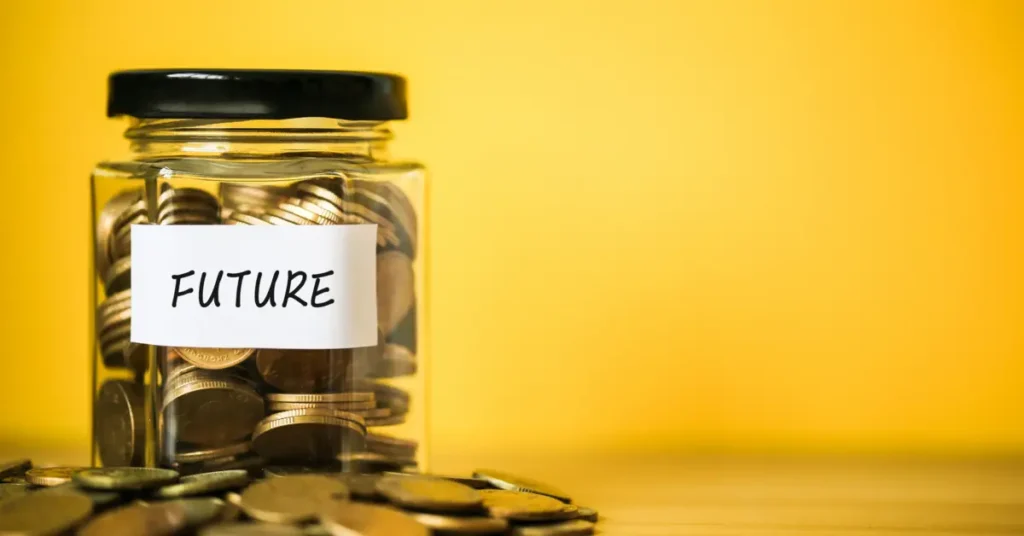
(119, 426)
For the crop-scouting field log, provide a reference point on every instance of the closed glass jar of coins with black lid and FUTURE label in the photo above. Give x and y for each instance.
(210, 354)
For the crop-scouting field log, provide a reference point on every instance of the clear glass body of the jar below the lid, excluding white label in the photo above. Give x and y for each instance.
(170, 406)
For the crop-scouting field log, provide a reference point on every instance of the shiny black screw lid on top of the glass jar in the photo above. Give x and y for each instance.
(257, 95)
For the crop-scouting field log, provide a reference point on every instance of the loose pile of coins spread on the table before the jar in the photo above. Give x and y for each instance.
(234, 503)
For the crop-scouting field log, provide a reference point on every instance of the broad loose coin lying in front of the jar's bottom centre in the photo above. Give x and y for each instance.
(292, 500)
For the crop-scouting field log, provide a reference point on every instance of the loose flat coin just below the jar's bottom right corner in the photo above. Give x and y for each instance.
(429, 494)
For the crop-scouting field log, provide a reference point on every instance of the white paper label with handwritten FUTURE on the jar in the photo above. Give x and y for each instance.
(296, 287)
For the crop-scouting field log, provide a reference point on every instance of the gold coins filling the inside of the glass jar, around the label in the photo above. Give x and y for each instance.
(246, 408)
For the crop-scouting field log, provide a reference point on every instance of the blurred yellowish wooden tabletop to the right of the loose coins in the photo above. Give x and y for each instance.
(664, 496)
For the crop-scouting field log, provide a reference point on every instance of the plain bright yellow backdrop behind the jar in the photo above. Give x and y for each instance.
(657, 226)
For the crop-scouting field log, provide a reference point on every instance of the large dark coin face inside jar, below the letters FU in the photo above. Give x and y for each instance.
(212, 414)
